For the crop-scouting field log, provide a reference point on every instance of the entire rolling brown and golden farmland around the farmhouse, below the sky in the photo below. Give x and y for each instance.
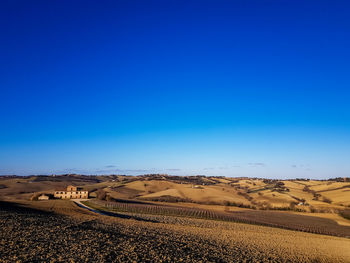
(175, 219)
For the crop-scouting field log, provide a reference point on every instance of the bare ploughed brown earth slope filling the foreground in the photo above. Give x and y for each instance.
(60, 231)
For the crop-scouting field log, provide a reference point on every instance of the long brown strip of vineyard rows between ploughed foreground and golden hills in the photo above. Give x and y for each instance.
(267, 218)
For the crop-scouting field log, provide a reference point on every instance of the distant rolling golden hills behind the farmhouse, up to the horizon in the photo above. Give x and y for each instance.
(295, 195)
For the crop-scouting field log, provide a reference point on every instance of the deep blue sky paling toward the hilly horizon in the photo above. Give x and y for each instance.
(234, 88)
